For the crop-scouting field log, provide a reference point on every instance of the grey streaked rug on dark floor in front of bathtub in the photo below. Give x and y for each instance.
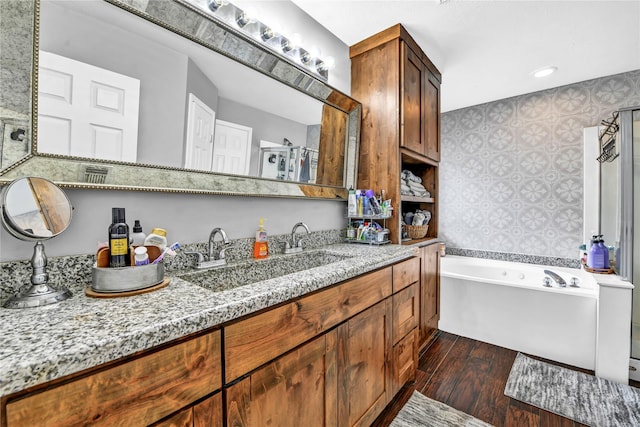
(583, 398)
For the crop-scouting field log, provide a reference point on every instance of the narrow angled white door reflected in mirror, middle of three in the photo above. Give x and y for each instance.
(199, 147)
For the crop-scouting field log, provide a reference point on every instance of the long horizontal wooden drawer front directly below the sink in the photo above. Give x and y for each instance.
(252, 342)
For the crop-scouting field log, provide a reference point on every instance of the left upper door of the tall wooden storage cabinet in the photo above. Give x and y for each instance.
(412, 106)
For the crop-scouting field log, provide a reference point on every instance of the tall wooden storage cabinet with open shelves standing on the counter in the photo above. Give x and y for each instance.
(399, 89)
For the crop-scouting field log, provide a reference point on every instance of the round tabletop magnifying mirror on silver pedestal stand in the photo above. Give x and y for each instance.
(35, 209)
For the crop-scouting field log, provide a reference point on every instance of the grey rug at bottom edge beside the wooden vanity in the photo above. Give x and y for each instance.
(422, 411)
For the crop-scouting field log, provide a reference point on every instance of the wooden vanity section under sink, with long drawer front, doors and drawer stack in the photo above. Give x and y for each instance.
(326, 359)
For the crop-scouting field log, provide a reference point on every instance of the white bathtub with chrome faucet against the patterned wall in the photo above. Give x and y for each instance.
(504, 303)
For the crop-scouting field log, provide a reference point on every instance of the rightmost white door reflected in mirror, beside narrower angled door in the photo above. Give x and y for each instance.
(232, 148)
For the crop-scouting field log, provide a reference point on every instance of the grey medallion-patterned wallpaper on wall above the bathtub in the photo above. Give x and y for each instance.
(511, 170)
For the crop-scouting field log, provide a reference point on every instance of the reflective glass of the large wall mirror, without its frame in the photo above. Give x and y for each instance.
(116, 87)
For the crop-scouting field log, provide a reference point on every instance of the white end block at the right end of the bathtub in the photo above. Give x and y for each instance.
(614, 328)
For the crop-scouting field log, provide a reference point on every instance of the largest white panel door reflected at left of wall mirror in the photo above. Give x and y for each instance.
(86, 111)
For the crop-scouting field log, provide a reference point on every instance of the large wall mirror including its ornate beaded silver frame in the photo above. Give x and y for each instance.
(145, 95)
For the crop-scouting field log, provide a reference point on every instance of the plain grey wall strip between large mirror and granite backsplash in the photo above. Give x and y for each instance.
(187, 218)
